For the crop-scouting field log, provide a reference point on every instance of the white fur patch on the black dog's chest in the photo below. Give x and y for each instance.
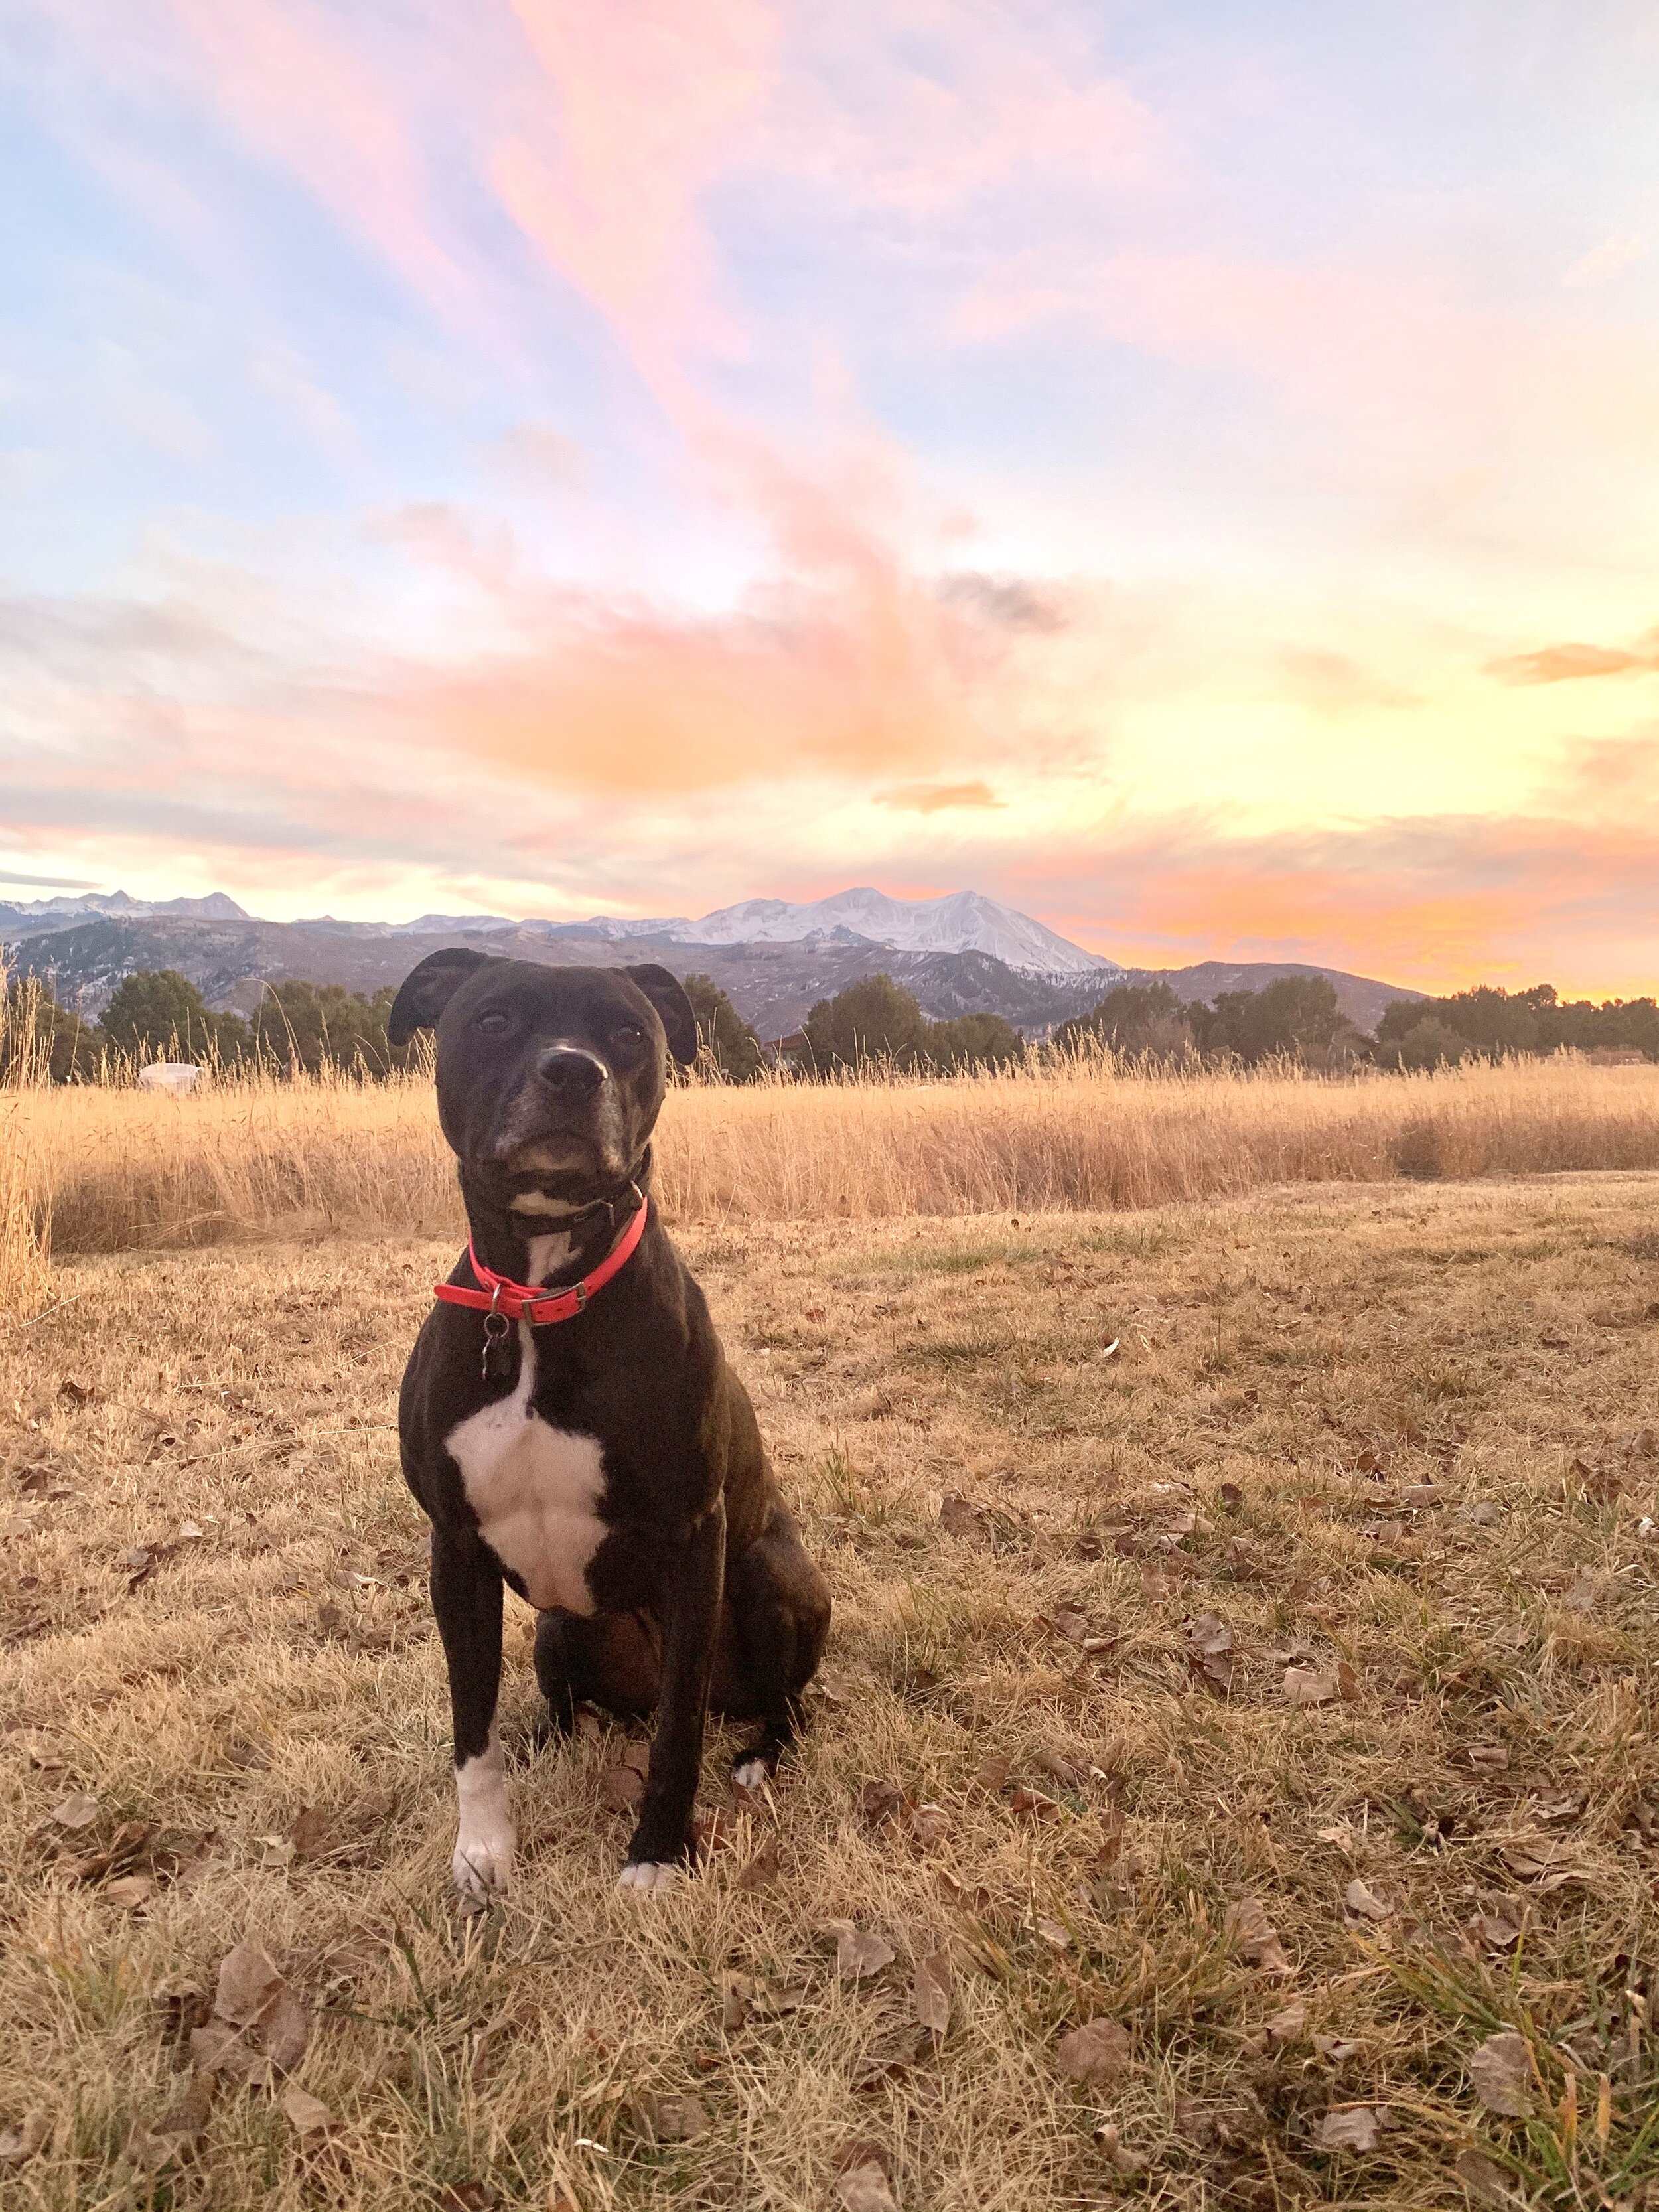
(534, 1490)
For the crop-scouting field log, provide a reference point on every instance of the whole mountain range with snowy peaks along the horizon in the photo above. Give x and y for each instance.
(959, 954)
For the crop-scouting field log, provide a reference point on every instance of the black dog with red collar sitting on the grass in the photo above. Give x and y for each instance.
(589, 1446)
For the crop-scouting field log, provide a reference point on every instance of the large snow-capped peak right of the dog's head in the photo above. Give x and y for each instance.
(959, 924)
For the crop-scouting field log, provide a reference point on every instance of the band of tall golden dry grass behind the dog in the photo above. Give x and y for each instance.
(123, 1169)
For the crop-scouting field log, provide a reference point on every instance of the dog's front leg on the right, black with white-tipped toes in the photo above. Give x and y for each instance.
(665, 1837)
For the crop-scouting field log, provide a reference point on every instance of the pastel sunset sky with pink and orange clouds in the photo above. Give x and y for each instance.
(1187, 470)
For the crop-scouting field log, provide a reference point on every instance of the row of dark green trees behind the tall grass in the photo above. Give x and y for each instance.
(304, 1025)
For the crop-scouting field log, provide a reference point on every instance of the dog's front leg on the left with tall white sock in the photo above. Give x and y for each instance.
(468, 1600)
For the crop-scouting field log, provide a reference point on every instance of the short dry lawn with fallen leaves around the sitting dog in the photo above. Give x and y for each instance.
(1291, 1373)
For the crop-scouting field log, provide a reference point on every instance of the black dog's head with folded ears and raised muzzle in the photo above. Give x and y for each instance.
(550, 1081)
